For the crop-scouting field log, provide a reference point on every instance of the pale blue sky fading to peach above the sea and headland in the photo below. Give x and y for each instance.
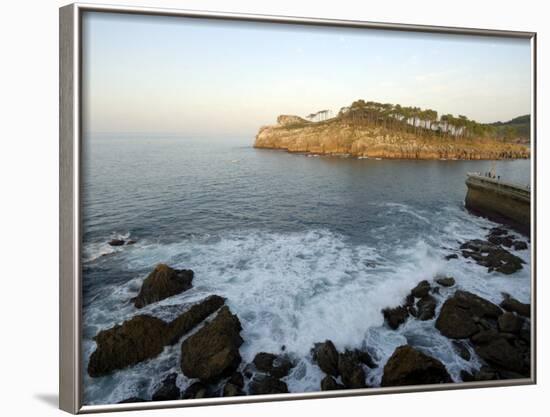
(199, 77)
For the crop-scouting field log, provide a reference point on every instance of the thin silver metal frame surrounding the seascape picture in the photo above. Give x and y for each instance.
(70, 355)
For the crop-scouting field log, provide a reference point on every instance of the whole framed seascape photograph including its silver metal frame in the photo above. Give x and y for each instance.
(258, 208)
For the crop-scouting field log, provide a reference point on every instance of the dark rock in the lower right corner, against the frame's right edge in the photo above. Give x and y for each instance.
(499, 352)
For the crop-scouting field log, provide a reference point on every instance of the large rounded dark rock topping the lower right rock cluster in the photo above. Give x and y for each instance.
(459, 314)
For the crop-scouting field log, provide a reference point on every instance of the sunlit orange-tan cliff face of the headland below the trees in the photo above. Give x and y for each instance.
(333, 137)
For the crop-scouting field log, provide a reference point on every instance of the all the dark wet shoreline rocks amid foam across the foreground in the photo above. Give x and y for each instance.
(209, 336)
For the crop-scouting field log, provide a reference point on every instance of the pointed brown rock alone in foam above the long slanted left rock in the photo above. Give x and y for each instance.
(162, 283)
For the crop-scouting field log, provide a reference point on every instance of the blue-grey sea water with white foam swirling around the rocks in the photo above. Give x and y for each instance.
(304, 248)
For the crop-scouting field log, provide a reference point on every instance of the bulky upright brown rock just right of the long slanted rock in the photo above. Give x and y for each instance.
(213, 351)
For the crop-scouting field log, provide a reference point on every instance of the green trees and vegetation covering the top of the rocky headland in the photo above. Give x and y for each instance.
(424, 122)
